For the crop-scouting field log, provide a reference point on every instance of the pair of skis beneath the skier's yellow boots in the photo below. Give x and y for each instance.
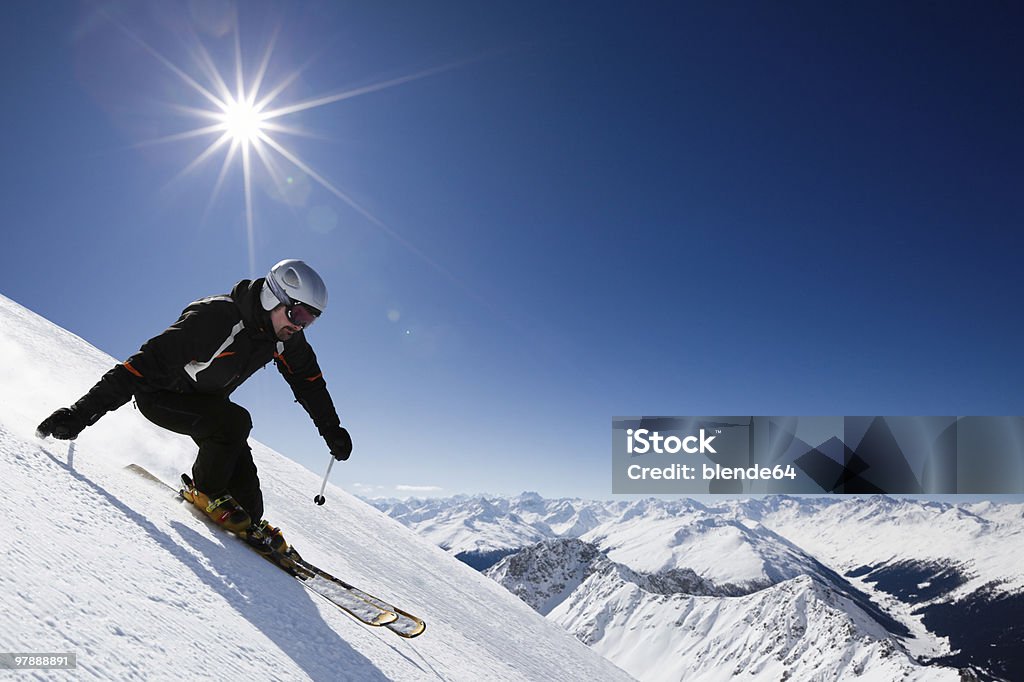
(361, 606)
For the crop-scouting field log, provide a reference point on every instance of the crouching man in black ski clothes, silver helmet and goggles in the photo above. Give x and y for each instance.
(183, 379)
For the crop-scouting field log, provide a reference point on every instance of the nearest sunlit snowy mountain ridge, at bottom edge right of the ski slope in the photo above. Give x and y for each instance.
(792, 631)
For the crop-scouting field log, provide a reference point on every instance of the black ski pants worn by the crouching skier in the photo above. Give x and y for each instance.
(221, 429)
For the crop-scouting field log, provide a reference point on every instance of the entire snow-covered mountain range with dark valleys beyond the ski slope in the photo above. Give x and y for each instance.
(827, 588)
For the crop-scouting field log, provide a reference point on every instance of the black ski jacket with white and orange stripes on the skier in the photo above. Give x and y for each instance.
(217, 345)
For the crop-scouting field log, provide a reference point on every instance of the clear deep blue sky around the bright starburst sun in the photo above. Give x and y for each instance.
(594, 210)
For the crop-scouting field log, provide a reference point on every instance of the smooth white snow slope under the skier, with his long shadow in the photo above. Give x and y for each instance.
(111, 567)
